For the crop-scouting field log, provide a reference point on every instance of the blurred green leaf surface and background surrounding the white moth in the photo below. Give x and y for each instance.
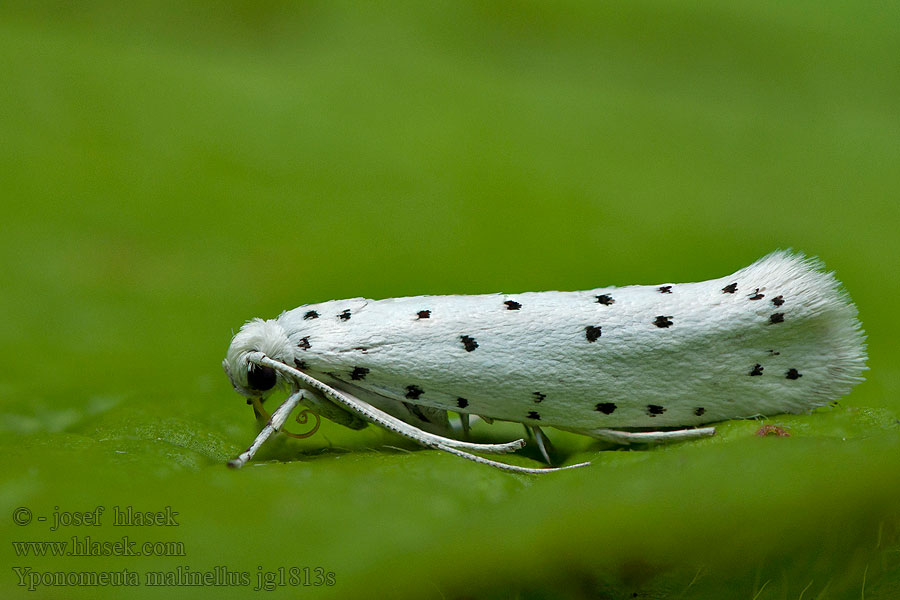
(171, 169)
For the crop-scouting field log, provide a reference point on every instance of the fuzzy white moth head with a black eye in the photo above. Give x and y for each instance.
(250, 379)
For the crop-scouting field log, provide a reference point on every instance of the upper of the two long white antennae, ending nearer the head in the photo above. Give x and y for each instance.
(376, 416)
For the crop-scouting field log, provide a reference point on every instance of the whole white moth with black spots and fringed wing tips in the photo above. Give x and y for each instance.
(644, 363)
